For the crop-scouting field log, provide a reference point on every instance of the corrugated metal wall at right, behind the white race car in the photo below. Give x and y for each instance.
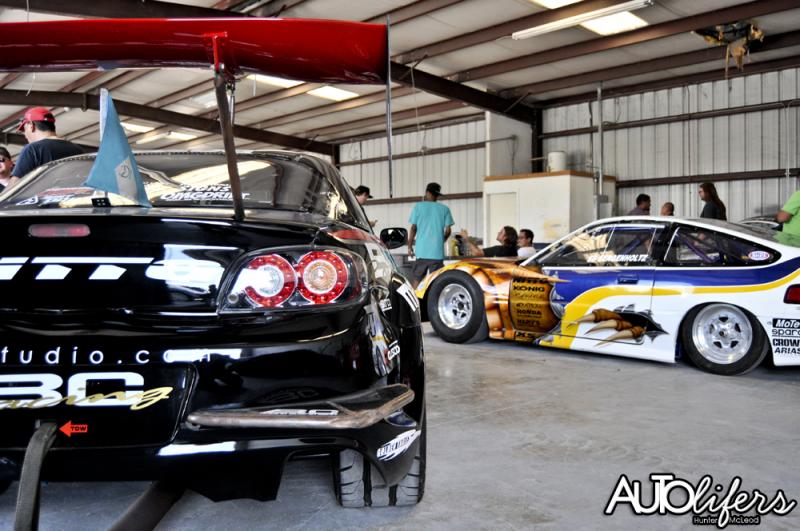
(743, 142)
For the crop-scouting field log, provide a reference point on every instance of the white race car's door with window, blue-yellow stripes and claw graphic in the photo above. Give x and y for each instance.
(602, 280)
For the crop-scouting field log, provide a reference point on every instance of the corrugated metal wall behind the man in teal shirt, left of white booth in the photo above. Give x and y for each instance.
(457, 172)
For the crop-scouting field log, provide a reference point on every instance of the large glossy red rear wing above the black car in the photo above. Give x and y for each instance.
(308, 50)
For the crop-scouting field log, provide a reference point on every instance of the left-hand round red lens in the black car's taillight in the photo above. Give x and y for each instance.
(269, 280)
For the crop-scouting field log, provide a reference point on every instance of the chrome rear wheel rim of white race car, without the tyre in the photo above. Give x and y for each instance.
(722, 333)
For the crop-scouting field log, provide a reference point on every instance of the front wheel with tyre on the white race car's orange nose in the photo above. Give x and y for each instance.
(456, 308)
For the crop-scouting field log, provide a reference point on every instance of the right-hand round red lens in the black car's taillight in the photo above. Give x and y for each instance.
(323, 276)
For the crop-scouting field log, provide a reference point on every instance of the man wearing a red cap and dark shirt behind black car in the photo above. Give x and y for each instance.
(39, 126)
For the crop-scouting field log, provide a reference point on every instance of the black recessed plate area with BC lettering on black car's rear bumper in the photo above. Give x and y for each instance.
(119, 406)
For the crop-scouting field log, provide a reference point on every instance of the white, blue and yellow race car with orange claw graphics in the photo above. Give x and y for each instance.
(723, 294)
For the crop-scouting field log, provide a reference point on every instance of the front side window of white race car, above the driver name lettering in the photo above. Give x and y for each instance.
(607, 246)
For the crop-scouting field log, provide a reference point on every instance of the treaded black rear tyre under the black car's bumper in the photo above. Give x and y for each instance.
(359, 484)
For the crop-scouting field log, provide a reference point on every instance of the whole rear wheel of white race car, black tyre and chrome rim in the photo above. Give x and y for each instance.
(724, 339)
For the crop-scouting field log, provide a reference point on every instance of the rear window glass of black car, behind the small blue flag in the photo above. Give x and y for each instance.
(269, 181)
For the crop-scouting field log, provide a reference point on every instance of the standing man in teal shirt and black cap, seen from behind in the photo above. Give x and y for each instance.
(430, 228)
